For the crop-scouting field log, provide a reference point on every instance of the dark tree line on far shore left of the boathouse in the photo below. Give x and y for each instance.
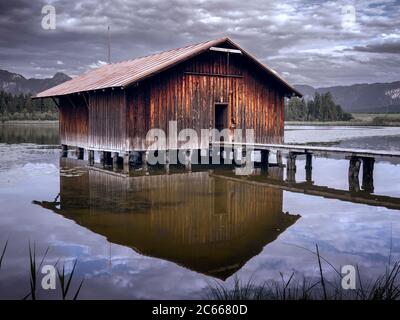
(22, 107)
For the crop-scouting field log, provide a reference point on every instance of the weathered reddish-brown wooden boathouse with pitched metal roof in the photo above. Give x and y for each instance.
(214, 84)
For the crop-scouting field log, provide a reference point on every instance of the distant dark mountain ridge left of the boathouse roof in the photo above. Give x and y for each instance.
(15, 83)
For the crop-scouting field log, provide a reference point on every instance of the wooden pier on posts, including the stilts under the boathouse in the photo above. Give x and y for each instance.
(228, 152)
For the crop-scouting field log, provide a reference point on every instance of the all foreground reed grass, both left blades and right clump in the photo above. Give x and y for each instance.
(384, 287)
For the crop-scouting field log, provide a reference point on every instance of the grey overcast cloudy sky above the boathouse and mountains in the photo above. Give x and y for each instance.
(319, 43)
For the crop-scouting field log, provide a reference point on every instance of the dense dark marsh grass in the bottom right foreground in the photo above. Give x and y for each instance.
(384, 287)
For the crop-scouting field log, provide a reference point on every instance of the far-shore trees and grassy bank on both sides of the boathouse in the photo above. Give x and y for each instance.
(319, 111)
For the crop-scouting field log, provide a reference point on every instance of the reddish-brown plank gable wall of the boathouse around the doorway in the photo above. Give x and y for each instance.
(188, 94)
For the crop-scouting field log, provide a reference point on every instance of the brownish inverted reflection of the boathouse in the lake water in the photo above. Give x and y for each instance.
(205, 223)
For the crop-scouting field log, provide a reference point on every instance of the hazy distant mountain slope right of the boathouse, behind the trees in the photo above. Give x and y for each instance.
(374, 97)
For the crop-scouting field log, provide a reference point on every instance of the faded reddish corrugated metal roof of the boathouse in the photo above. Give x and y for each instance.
(125, 73)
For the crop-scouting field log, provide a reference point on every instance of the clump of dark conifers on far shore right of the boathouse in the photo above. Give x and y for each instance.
(321, 108)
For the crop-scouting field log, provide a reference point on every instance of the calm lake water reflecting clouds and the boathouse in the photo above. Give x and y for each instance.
(171, 236)
